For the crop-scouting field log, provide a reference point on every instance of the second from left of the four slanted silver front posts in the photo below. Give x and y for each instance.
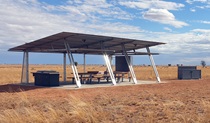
(108, 64)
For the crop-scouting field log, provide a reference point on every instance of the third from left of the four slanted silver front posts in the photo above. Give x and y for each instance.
(129, 64)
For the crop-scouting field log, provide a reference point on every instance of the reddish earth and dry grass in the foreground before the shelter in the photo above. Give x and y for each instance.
(145, 105)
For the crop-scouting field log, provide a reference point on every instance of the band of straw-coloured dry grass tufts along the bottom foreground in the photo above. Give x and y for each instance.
(105, 109)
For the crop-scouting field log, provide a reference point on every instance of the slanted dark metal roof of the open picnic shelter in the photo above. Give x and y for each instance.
(83, 43)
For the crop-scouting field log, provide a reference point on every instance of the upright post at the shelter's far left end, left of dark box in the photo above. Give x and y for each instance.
(25, 68)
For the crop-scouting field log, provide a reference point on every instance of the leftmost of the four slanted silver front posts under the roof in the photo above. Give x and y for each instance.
(74, 68)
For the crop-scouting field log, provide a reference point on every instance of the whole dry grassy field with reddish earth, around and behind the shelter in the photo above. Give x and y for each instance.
(185, 101)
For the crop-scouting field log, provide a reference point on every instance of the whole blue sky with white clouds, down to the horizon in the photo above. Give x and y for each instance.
(183, 24)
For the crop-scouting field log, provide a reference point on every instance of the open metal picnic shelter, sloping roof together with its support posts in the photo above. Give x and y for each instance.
(77, 43)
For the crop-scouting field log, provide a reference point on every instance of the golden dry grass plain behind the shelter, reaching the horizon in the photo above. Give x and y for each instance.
(12, 73)
